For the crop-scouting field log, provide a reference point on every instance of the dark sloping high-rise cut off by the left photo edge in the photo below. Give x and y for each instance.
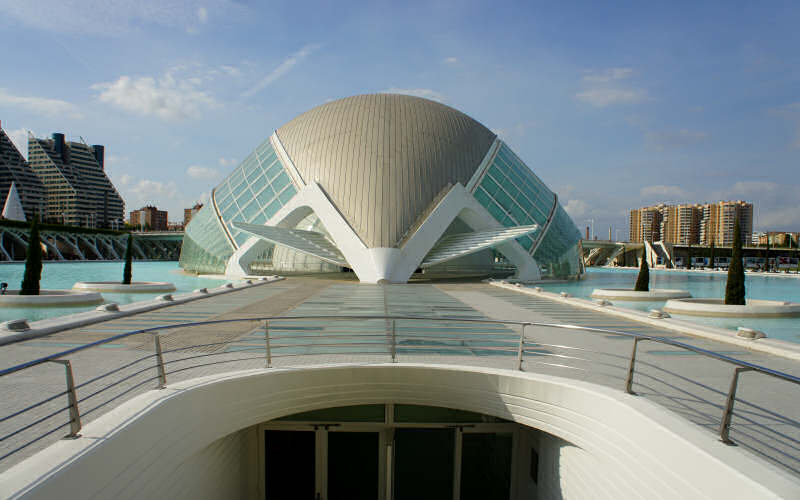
(14, 169)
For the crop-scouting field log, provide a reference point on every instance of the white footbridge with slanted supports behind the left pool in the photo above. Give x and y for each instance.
(61, 243)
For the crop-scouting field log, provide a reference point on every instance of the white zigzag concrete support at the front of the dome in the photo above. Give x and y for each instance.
(391, 265)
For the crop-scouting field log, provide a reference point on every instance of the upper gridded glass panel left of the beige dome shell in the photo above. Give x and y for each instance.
(255, 191)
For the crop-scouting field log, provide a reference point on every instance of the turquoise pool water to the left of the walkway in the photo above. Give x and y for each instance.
(62, 275)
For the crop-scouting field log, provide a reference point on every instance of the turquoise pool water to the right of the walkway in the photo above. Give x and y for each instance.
(701, 285)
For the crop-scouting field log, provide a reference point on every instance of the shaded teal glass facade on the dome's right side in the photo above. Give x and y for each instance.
(515, 196)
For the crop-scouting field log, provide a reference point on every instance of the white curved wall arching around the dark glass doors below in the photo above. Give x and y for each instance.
(604, 443)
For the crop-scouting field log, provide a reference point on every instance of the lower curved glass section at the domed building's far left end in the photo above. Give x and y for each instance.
(206, 248)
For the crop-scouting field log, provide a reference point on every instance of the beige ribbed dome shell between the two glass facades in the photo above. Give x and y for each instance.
(383, 158)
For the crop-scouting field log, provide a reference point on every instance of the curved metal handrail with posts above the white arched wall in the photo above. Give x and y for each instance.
(391, 338)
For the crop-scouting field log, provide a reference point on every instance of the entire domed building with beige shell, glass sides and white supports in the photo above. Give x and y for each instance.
(384, 185)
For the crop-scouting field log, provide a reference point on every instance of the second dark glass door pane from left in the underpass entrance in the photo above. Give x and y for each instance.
(353, 467)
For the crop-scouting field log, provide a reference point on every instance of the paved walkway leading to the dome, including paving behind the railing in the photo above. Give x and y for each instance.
(664, 374)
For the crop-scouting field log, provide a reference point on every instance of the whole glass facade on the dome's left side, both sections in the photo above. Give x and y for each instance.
(253, 193)
